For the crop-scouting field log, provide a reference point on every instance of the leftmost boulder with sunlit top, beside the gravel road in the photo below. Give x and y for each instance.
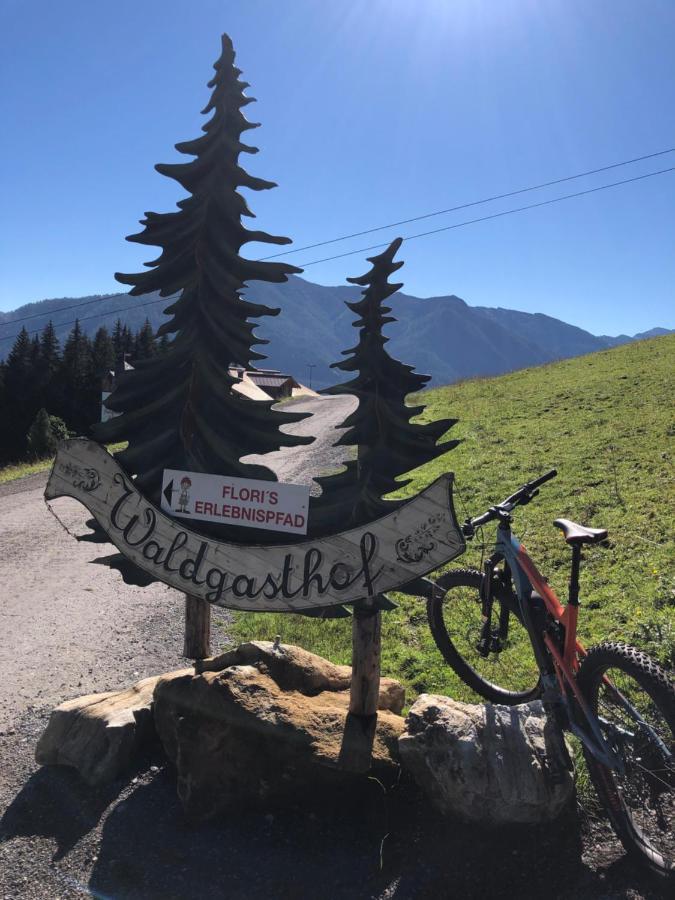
(99, 734)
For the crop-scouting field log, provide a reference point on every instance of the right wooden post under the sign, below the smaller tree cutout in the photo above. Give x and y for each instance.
(365, 687)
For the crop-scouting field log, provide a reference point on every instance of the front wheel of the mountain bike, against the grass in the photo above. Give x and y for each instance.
(455, 622)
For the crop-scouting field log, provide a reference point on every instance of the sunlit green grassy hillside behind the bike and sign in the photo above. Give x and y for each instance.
(607, 423)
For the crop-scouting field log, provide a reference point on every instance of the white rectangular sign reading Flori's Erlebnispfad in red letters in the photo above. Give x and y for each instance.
(236, 501)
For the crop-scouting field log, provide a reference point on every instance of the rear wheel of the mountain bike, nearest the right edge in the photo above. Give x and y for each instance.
(640, 802)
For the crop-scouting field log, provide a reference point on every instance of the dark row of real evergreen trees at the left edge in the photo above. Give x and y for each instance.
(39, 377)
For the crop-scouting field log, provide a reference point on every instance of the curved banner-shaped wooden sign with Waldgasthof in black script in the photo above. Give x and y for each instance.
(415, 539)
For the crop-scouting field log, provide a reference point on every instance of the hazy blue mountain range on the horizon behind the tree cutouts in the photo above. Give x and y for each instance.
(442, 336)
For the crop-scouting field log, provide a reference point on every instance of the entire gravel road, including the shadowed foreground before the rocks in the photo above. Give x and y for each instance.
(70, 627)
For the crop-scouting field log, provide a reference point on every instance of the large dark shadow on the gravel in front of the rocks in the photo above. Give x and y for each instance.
(376, 845)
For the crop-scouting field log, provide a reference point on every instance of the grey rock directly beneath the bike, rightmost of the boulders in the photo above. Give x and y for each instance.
(487, 764)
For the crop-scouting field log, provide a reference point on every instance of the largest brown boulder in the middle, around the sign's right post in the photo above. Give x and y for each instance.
(264, 721)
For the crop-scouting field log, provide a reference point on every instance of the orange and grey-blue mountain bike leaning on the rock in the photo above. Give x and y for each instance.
(506, 634)
